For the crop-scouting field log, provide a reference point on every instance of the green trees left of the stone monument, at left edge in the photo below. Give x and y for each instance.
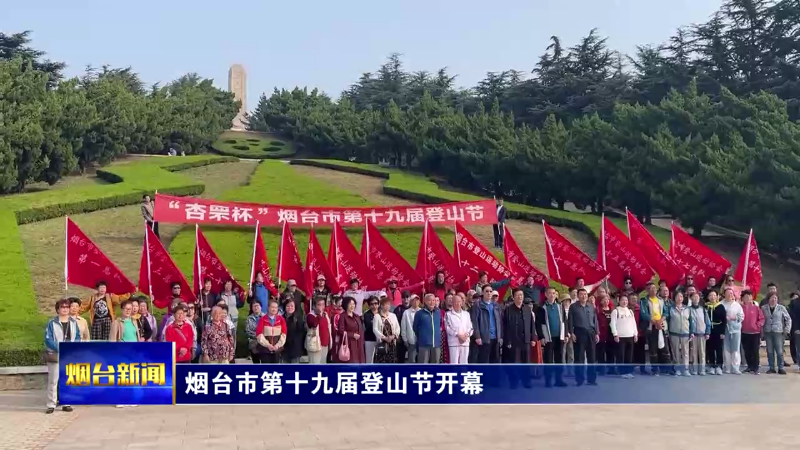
(50, 126)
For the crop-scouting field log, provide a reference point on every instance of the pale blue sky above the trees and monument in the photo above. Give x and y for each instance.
(329, 44)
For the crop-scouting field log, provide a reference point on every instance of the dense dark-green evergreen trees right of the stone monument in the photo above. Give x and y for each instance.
(703, 127)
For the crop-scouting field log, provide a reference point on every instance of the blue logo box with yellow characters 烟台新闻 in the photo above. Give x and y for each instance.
(115, 373)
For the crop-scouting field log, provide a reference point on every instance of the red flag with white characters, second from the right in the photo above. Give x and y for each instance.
(696, 258)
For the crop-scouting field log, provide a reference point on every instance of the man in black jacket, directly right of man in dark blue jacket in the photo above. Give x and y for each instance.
(519, 335)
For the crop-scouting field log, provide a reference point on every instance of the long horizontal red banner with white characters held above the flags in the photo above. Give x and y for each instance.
(170, 209)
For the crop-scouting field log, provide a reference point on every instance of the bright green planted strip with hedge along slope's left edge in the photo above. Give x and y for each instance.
(21, 325)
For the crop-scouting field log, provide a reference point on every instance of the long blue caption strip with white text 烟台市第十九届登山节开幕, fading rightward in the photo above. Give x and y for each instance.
(452, 384)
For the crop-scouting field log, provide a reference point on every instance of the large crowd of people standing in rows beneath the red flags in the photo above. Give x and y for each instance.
(583, 333)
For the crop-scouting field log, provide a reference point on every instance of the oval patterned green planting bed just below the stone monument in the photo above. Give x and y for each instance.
(252, 145)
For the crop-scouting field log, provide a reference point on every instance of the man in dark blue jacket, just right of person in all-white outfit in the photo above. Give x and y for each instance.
(487, 327)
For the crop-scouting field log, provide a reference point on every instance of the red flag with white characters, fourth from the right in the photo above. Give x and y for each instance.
(621, 258)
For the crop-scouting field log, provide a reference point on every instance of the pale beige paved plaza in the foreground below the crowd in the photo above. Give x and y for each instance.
(23, 426)
